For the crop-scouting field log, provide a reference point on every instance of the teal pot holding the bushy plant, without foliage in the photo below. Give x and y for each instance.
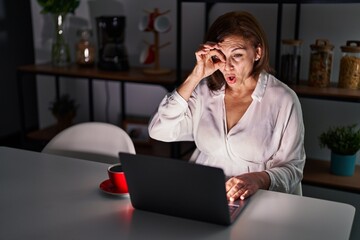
(342, 165)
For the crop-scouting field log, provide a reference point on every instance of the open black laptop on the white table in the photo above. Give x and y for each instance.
(179, 188)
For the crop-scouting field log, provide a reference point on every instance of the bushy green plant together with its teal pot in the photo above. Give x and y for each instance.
(344, 143)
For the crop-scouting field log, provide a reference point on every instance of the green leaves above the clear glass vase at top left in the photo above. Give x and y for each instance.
(58, 6)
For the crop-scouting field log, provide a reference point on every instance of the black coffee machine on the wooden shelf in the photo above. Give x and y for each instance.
(111, 37)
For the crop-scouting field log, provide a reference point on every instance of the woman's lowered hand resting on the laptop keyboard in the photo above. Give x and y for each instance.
(246, 185)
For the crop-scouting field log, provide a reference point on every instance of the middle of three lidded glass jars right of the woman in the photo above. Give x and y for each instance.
(321, 61)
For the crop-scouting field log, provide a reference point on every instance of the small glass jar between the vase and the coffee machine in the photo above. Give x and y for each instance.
(85, 51)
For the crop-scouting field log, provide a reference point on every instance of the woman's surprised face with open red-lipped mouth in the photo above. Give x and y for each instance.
(240, 56)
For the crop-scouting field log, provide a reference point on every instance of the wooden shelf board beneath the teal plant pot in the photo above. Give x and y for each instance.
(317, 172)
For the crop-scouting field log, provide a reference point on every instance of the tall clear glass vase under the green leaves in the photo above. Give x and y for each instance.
(60, 52)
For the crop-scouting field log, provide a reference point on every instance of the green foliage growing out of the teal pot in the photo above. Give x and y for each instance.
(344, 140)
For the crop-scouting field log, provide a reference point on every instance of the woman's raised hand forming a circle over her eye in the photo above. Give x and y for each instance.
(209, 58)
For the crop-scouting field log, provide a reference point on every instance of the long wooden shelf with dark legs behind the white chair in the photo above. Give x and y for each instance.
(73, 73)
